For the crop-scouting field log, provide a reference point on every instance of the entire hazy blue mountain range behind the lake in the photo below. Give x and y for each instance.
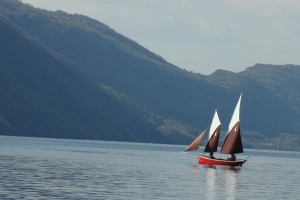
(70, 76)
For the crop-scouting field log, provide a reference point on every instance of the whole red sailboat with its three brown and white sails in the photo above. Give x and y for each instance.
(232, 143)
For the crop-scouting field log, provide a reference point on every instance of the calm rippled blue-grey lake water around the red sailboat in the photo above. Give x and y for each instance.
(34, 168)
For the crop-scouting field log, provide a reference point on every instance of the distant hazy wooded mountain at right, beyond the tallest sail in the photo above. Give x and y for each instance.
(272, 109)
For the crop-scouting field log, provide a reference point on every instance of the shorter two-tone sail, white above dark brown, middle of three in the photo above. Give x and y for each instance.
(214, 132)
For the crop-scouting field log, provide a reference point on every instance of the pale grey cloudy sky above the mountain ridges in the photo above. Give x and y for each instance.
(201, 35)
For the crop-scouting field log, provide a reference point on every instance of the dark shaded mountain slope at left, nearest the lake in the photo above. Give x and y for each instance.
(41, 96)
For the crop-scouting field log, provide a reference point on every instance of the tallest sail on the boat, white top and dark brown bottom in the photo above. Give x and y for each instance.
(233, 142)
